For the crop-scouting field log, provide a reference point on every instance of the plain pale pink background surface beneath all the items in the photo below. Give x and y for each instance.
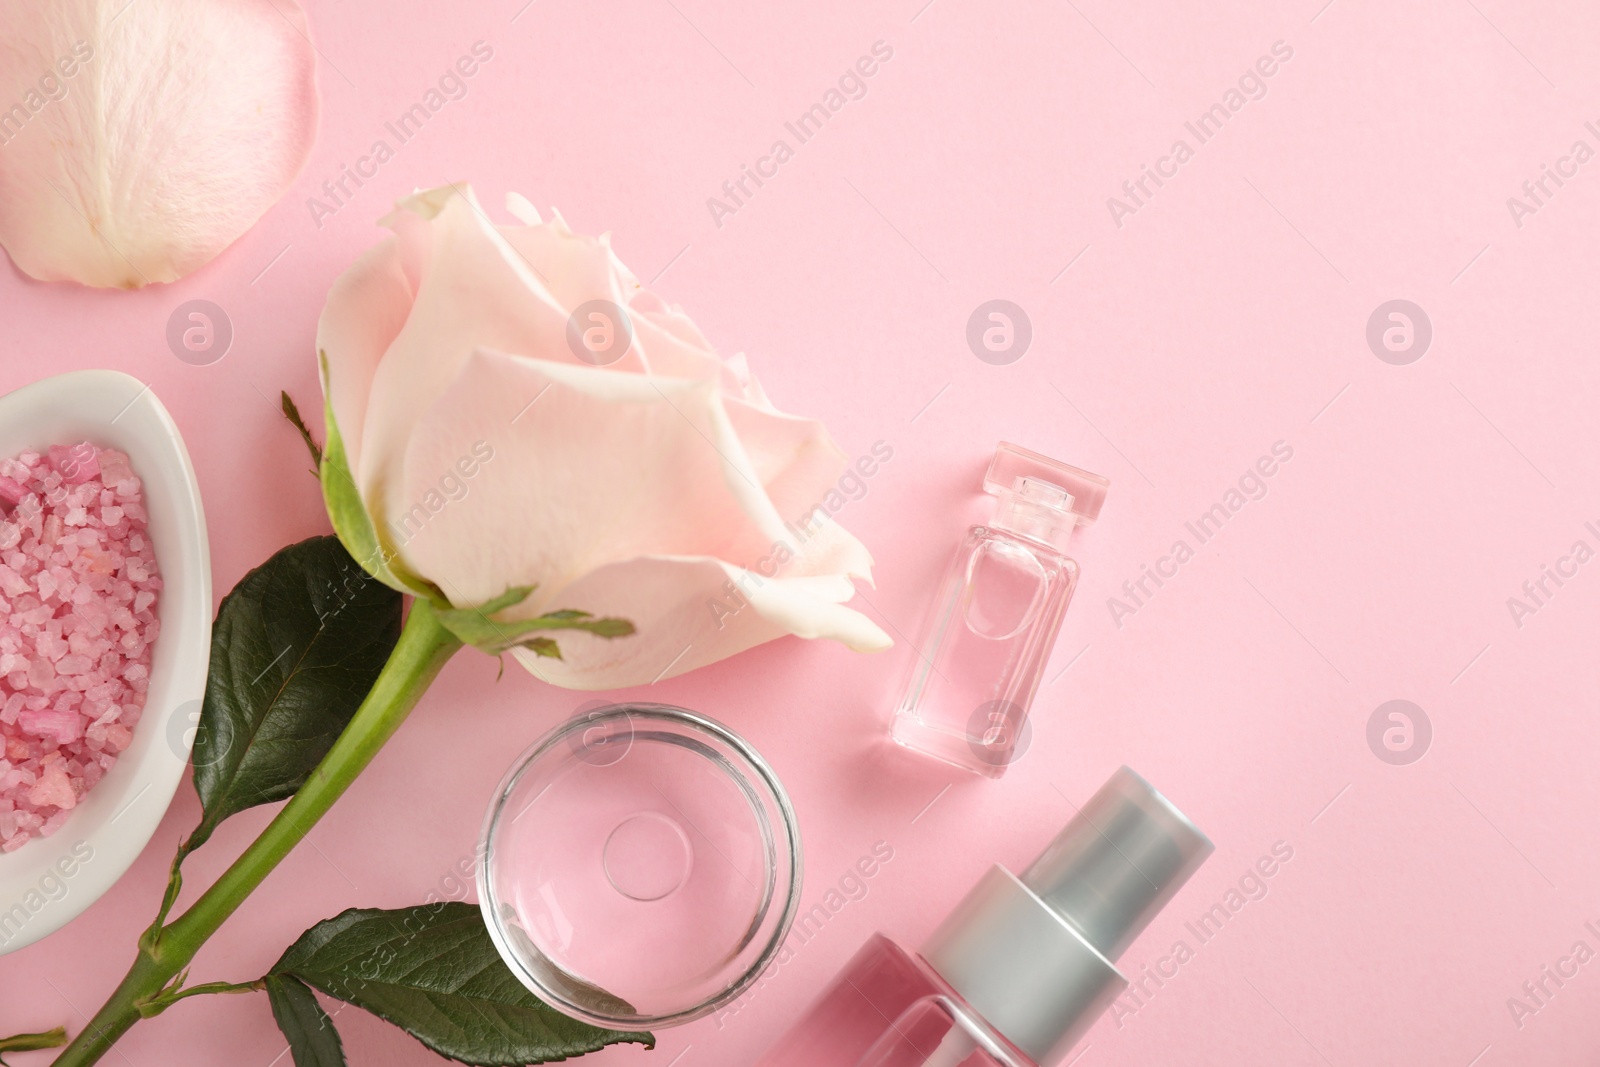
(1228, 314)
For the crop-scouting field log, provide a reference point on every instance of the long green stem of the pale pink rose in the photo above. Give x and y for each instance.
(166, 953)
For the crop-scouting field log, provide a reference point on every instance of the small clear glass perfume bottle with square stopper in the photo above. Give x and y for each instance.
(998, 615)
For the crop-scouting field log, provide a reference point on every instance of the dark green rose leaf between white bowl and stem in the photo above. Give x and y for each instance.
(295, 650)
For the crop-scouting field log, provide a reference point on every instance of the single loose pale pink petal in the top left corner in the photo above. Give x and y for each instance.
(180, 124)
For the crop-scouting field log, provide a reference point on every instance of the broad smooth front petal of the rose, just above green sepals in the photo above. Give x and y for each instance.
(590, 468)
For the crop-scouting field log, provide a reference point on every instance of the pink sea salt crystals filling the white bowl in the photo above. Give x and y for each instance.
(79, 591)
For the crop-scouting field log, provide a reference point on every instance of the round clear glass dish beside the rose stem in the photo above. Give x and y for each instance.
(641, 866)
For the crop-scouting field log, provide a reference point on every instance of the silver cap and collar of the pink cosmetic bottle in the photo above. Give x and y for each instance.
(1034, 956)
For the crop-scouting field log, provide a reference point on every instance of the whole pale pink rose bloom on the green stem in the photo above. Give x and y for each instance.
(662, 489)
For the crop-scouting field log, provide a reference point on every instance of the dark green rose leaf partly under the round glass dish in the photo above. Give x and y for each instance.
(433, 972)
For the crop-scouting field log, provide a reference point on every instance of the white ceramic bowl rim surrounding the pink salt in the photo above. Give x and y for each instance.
(52, 881)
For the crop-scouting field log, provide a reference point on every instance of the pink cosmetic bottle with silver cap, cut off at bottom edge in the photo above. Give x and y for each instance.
(1023, 967)
